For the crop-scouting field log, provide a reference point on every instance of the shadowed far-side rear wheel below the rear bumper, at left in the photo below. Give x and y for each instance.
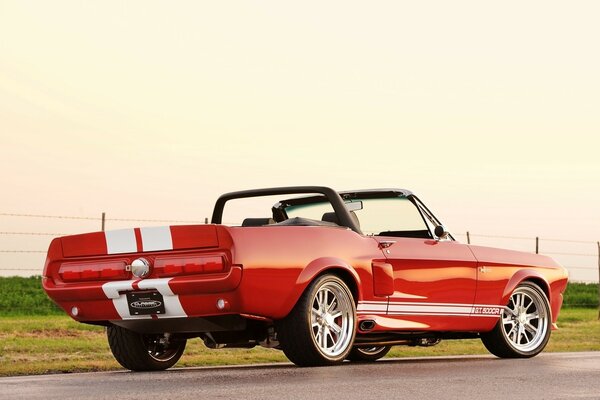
(139, 352)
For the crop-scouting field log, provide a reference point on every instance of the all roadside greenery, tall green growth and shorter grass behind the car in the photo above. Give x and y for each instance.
(37, 337)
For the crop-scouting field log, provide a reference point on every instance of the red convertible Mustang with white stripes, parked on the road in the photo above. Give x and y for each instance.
(324, 276)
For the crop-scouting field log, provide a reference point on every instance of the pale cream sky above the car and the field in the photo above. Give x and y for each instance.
(489, 111)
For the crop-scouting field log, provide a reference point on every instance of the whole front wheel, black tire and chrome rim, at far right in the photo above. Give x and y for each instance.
(524, 331)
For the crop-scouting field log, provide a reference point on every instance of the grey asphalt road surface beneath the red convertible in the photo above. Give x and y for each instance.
(547, 376)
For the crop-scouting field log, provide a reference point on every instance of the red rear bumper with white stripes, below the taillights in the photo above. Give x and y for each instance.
(186, 296)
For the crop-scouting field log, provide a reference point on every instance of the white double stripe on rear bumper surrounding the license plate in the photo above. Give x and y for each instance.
(173, 308)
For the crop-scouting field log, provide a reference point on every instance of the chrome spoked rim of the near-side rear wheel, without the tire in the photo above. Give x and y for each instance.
(332, 319)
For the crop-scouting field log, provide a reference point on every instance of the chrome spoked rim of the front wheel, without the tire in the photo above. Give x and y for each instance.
(525, 319)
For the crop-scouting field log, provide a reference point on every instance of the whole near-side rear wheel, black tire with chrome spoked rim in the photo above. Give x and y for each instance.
(313, 334)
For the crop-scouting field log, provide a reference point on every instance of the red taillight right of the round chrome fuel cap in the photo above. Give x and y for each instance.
(170, 266)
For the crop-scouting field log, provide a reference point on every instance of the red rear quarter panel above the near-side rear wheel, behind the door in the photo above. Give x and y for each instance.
(280, 262)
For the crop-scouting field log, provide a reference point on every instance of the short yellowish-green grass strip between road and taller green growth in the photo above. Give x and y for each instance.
(54, 344)
